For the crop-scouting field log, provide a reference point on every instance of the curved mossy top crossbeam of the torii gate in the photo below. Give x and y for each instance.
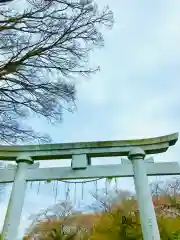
(91, 149)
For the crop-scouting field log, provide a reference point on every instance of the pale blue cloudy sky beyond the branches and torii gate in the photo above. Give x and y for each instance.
(135, 95)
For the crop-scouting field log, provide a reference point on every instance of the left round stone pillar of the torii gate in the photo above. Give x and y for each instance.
(16, 201)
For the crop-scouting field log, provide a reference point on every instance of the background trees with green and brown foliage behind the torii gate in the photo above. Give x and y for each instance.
(116, 219)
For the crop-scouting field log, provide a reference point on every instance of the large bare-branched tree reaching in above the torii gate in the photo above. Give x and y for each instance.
(43, 50)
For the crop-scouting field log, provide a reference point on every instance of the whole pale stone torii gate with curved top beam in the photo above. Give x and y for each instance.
(81, 168)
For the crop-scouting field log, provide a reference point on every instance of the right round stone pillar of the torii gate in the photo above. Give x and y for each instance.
(147, 213)
